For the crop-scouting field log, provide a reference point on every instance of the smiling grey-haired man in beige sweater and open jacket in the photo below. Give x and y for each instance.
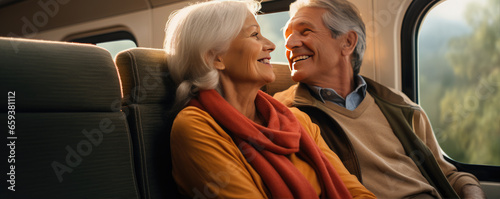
(381, 136)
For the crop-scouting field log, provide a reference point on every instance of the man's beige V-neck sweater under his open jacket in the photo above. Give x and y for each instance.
(385, 168)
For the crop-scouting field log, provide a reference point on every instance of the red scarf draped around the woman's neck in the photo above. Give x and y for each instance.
(265, 148)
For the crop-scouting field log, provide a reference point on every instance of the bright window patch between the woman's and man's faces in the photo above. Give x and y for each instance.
(272, 28)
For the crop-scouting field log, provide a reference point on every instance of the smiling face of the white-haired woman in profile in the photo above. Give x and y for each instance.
(248, 57)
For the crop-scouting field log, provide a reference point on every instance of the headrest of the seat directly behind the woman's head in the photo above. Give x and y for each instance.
(145, 77)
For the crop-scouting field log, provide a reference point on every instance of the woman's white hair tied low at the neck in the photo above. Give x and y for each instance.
(195, 35)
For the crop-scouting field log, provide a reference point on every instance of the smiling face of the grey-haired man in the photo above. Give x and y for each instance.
(312, 52)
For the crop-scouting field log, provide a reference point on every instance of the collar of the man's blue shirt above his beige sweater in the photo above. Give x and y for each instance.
(352, 100)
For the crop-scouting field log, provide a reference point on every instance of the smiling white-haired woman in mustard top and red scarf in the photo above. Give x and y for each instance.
(232, 140)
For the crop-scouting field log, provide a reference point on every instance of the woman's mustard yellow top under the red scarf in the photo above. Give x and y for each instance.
(207, 163)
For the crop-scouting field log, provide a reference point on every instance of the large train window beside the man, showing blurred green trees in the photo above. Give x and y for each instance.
(459, 78)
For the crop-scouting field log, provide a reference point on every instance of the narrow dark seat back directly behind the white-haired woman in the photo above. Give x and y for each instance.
(148, 96)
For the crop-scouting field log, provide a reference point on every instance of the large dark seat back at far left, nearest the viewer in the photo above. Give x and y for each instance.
(66, 139)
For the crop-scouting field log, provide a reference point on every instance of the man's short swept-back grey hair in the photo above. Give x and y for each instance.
(341, 17)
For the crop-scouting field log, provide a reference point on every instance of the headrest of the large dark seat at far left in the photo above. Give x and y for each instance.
(58, 76)
